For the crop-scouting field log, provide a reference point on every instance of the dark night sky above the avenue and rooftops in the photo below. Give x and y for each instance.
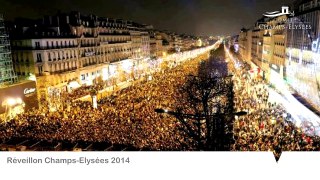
(198, 17)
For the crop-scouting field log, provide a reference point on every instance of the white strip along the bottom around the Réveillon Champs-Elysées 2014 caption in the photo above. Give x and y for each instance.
(168, 165)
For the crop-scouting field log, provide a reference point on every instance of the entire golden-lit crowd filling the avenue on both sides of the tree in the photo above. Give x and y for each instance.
(128, 117)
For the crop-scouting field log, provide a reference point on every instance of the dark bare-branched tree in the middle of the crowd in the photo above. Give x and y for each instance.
(205, 105)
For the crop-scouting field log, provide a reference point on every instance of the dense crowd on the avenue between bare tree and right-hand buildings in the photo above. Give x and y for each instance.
(267, 127)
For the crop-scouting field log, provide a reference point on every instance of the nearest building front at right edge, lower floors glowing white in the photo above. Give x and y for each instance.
(302, 57)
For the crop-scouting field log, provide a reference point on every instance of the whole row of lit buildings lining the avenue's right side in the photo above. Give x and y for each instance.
(285, 50)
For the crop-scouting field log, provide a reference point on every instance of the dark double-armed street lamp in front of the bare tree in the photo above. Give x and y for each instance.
(198, 118)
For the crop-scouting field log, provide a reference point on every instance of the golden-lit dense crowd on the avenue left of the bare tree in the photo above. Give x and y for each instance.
(127, 117)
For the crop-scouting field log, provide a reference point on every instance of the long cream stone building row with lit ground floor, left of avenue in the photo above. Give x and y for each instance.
(67, 49)
